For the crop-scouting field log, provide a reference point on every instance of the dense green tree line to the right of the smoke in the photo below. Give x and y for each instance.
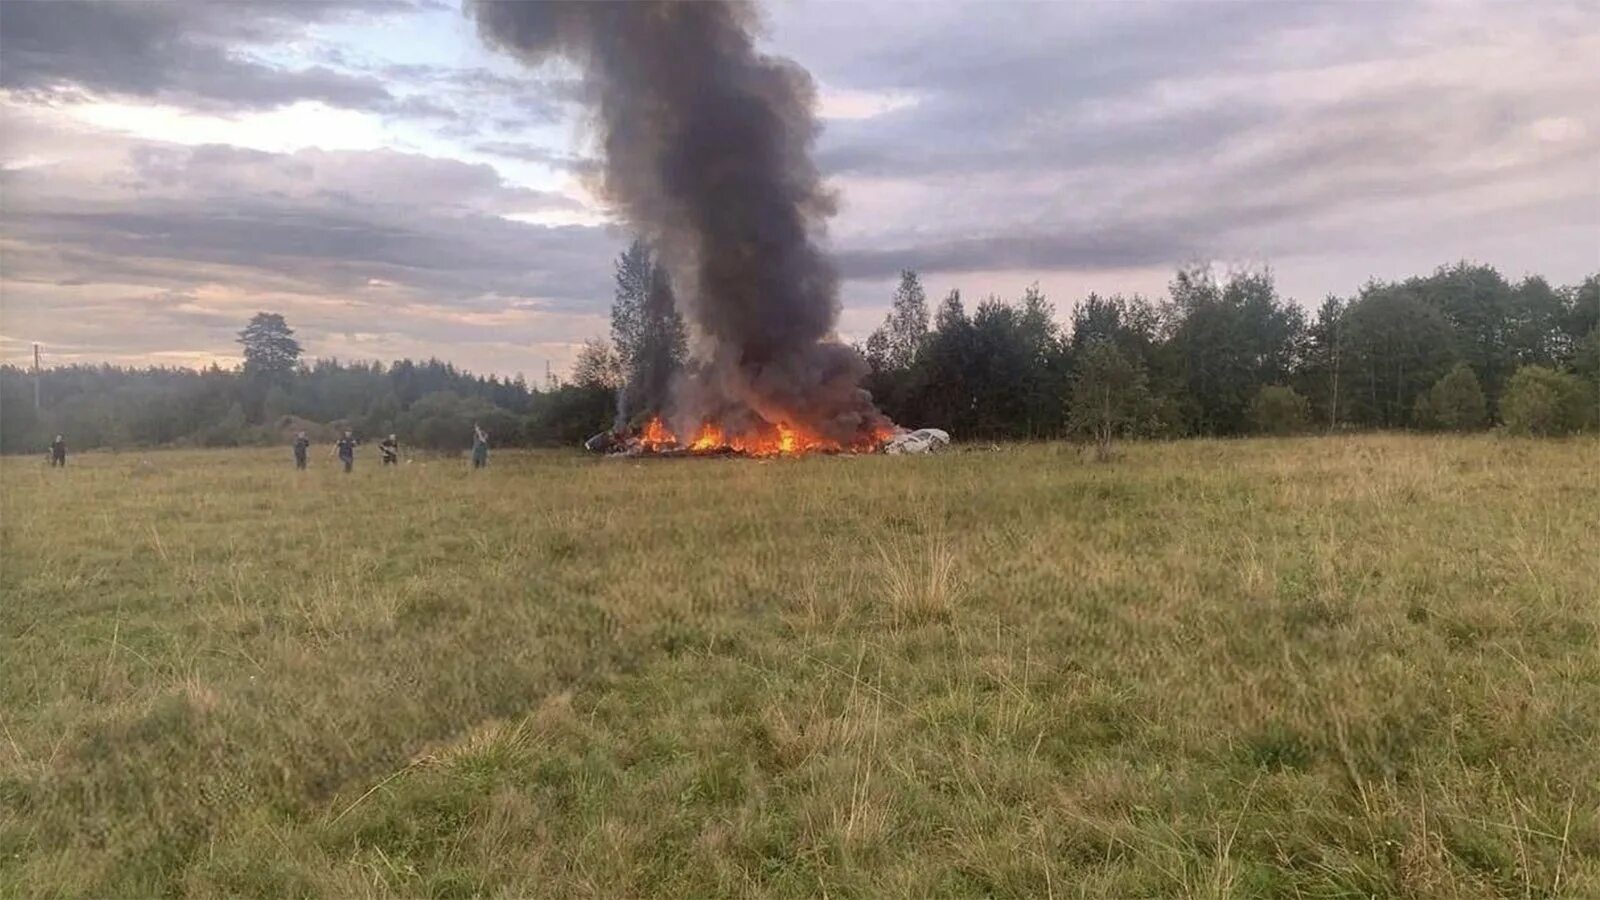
(1226, 355)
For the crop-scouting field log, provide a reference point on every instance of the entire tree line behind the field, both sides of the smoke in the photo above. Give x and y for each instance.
(1218, 356)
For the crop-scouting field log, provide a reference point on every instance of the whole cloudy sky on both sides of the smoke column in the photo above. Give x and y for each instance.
(394, 188)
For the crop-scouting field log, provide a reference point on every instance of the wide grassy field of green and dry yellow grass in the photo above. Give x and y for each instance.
(1298, 669)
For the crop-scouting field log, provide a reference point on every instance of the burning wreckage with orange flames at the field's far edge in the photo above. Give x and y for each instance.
(657, 440)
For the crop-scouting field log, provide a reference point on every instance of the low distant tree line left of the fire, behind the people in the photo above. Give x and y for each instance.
(274, 395)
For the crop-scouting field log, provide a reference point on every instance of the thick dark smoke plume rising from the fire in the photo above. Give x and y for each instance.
(708, 155)
